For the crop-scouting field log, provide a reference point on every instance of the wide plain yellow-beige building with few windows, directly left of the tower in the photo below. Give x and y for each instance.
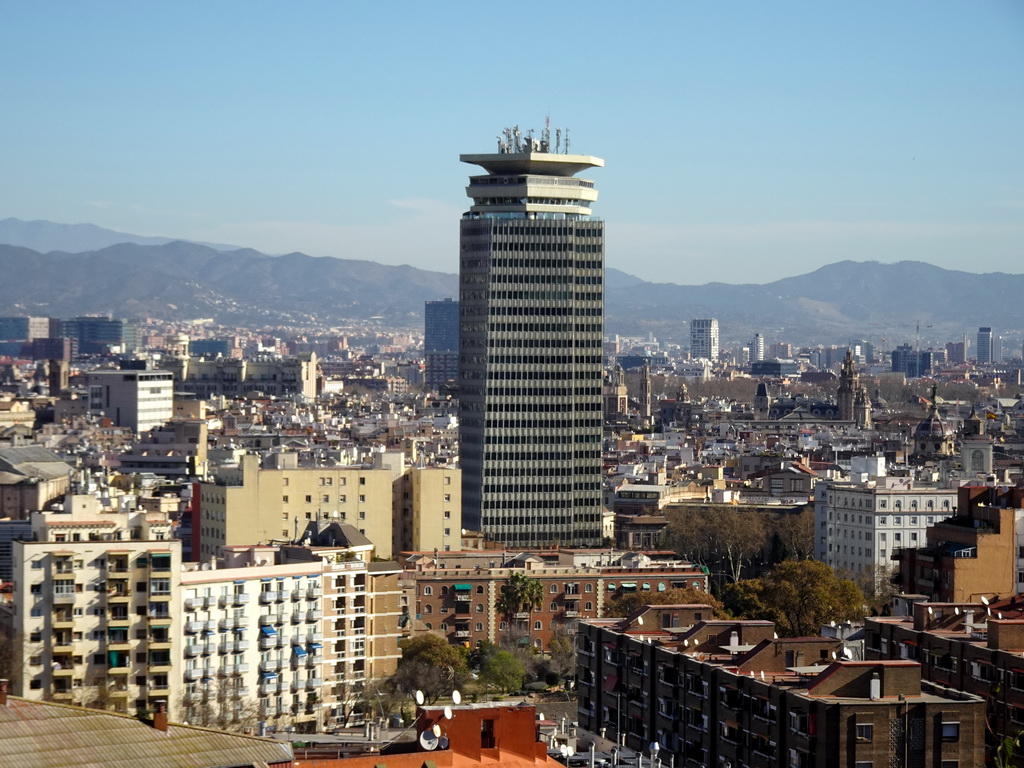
(396, 507)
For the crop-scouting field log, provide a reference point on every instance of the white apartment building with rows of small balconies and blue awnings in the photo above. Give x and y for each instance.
(253, 642)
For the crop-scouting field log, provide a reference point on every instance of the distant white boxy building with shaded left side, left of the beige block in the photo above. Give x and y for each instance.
(139, 400)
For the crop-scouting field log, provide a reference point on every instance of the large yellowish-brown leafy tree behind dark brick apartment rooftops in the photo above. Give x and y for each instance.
(800, 596)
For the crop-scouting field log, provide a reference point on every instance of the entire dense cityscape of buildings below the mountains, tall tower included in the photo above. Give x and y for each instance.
(246, 527)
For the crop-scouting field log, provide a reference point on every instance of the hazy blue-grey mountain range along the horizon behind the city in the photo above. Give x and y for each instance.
(177, 280)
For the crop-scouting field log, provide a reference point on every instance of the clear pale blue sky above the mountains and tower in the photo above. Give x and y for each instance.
(744, 142)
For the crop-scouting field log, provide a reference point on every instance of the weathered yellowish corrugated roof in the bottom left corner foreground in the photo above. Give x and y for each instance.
(37, 735)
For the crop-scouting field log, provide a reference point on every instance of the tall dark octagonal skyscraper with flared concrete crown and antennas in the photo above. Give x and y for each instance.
(532, 295)
